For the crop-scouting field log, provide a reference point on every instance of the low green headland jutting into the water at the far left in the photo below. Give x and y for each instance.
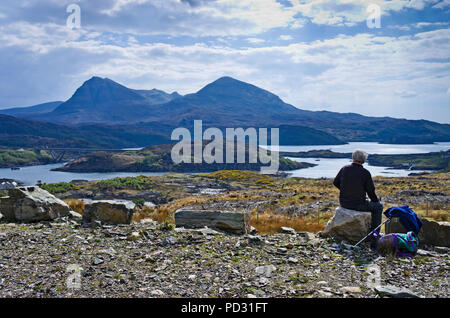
(23, 157)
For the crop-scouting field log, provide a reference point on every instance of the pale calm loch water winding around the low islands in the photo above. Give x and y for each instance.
(327, 168)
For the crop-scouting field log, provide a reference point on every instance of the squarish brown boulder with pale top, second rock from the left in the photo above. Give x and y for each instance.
(108, 212)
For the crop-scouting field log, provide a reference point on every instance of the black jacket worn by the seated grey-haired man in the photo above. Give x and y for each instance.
(354, 181)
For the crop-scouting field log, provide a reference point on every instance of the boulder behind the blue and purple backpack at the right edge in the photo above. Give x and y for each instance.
(432, 232)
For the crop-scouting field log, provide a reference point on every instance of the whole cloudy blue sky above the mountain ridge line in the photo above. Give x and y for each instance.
(335, 55)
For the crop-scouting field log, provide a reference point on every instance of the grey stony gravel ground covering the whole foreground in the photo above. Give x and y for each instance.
(150, 260)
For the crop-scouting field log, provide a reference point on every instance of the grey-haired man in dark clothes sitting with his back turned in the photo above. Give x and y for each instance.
(354, 181)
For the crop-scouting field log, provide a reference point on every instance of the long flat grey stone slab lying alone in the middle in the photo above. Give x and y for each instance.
(231, 222)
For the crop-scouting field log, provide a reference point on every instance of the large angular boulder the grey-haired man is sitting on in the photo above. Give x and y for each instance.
(348, 225)
